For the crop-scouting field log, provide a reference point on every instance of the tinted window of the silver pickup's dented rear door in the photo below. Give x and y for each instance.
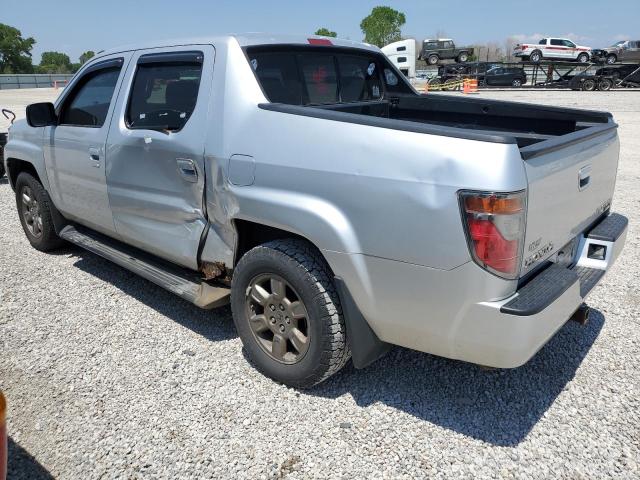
(165, 91)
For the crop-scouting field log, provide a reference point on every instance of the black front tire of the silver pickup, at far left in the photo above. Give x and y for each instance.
(45, 239)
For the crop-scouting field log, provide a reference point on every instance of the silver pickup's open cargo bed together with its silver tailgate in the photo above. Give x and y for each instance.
(570, 156)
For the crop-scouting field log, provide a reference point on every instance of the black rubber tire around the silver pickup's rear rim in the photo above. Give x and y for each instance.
(307, 276)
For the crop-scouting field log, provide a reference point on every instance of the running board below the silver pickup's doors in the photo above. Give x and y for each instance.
(171, 278)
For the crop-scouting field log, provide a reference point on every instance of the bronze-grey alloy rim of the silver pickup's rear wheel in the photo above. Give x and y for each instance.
(278, 318)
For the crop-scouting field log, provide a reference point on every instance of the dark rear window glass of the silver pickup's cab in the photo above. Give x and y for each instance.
(316, 78)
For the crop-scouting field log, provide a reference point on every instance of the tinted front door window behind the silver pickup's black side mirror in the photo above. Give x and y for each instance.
(88, 103)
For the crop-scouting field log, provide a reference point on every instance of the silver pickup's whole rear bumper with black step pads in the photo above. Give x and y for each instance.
(467, 313)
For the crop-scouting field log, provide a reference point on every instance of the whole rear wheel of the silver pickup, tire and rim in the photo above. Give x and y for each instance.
(287, 313)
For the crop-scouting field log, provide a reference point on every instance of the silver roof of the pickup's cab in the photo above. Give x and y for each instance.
(244, 39)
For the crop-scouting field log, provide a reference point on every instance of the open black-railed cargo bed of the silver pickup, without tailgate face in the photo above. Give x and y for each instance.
(534, 128)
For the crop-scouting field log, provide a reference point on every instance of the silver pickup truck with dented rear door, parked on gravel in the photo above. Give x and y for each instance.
(305, 181)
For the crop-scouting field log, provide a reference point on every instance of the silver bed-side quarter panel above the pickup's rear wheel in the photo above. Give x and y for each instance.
(348, 188)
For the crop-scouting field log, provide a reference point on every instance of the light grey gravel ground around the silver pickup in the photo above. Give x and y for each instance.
(109, 376)
